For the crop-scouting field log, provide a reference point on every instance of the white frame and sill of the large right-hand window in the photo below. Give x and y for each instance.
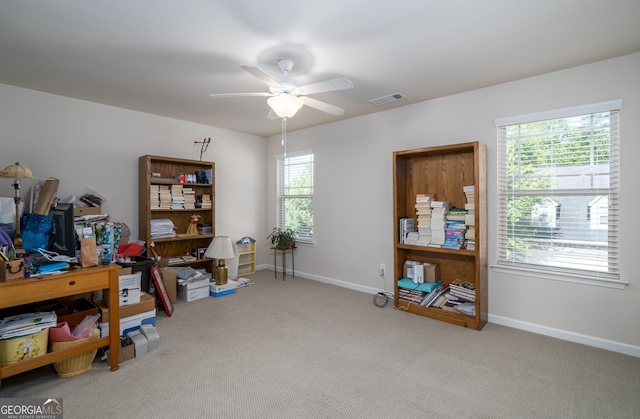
(502, 265)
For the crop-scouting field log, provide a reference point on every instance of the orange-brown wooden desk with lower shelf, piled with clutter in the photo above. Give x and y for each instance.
(32, 290)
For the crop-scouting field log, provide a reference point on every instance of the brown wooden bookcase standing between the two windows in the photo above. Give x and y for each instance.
(443, 171)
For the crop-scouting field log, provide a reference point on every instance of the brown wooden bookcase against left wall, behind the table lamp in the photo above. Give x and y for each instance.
(182, 244)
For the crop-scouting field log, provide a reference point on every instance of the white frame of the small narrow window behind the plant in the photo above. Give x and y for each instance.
(281, 198)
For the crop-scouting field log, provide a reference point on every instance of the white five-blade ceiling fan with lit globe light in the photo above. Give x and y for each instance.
(286, 96)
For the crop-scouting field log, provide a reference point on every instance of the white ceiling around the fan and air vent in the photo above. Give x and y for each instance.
(164, 56)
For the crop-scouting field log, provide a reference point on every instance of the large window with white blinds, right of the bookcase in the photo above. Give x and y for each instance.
(558, 189)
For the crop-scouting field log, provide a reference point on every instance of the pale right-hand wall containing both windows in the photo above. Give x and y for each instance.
(354, 213)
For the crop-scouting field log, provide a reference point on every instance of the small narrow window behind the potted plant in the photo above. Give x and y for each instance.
(295, 194)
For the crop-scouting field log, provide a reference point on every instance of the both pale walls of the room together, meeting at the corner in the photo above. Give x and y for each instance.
(90, 145)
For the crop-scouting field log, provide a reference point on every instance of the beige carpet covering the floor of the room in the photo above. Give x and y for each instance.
(303, 349)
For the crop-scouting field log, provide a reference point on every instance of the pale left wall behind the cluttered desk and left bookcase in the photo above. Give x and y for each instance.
(86, 144)
